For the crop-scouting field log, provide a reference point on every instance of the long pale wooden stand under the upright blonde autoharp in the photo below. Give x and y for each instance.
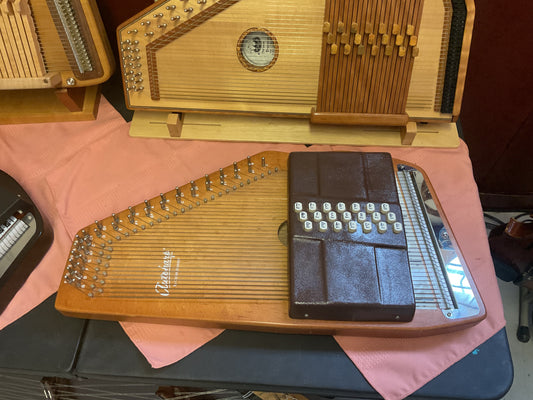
(156, 124)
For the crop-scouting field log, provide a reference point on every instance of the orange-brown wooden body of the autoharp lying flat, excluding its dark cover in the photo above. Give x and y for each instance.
(213, 253)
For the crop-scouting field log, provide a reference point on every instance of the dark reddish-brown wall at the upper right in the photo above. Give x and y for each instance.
(497, 111)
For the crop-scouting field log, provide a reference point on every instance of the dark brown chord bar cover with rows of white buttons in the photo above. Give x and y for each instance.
(346, 272)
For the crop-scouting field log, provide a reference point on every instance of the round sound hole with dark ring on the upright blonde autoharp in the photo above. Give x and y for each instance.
(257, 49)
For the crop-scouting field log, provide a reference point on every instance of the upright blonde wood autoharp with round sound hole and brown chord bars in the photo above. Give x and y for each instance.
(356, 62)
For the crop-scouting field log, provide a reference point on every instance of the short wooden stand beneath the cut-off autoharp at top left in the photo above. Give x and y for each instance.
(49, 105)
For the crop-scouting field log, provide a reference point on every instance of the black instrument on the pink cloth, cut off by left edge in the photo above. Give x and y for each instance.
(24, 238)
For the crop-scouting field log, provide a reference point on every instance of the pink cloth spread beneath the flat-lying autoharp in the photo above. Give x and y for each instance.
(82, 171)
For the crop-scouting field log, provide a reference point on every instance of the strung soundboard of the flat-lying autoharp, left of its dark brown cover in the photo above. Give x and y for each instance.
(204, 236)
